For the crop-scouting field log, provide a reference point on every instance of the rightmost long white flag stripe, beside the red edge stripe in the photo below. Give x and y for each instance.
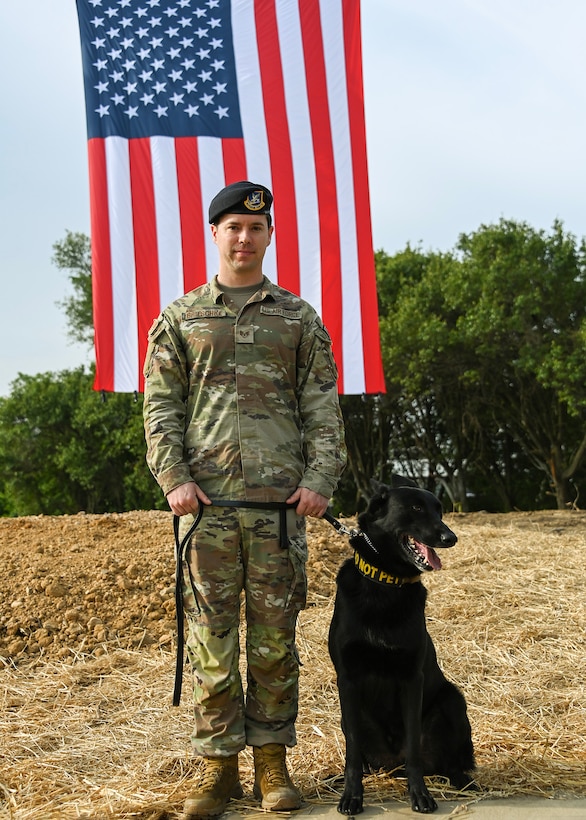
(352, 342)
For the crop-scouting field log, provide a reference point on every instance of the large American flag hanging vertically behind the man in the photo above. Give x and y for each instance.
(186, 96)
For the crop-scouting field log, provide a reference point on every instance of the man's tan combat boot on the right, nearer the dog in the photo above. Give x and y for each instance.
(272, 784)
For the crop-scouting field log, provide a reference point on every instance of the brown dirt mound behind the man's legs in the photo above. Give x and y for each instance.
(84, 584)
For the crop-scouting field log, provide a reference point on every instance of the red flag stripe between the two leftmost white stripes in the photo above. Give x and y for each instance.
(145, 242)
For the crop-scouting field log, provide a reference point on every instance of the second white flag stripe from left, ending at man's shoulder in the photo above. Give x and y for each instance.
(168, 221)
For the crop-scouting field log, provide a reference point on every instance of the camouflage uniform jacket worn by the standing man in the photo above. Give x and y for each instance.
(244, 404)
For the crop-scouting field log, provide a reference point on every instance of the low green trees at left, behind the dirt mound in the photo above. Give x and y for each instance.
(67, 449)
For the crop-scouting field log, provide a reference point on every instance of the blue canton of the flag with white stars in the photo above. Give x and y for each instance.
(159, 68)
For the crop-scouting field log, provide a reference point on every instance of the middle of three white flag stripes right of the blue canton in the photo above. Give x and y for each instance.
(302, 151)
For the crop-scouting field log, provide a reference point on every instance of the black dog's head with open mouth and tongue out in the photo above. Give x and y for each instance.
(405, 525)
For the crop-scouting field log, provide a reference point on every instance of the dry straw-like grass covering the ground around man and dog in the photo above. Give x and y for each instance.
(98, 738)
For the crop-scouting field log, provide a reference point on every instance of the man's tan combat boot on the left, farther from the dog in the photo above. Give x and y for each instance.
(218, 782)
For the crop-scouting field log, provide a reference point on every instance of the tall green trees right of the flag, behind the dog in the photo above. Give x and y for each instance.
(485, 345)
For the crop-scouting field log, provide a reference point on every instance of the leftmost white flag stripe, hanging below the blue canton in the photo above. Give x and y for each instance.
(126, 363)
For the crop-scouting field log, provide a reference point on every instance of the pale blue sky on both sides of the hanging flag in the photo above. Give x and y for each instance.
(475, 111)
